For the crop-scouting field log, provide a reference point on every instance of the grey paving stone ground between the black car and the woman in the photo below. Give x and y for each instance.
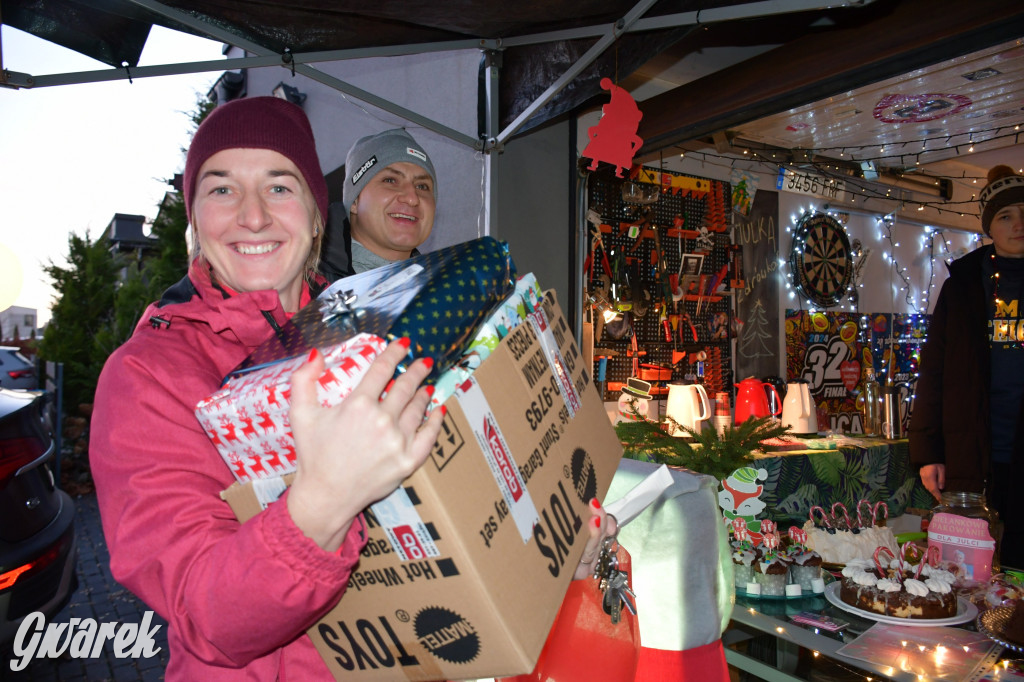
(100, 598)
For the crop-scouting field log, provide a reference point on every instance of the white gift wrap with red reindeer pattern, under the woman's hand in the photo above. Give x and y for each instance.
(247, 419)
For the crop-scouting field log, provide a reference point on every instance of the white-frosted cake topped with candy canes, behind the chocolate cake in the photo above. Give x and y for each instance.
(838, 539)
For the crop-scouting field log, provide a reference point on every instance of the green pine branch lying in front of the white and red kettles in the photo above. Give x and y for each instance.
(708, 453)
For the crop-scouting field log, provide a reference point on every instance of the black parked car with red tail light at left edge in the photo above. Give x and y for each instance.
(38, 550)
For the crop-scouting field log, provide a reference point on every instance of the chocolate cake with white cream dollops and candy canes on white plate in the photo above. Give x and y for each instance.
(895, 588)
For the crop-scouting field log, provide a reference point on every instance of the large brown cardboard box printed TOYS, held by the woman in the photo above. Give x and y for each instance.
(465, 571)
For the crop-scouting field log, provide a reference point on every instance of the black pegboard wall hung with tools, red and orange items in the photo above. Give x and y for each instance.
(666, 267)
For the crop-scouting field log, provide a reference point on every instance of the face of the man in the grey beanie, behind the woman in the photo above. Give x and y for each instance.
(395, 214)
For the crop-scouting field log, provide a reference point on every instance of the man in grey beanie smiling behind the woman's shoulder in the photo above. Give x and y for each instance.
(389, 205)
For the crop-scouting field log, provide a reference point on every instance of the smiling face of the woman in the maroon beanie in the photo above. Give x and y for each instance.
(253, 216)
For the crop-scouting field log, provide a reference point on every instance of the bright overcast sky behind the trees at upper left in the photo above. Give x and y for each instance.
(75, 155)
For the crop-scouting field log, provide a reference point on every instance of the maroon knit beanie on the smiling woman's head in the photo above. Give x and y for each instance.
(258, 123)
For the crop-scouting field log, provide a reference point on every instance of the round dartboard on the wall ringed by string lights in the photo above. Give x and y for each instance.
(821, 260)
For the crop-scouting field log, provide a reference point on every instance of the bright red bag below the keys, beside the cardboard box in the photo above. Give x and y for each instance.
(583, 645)
